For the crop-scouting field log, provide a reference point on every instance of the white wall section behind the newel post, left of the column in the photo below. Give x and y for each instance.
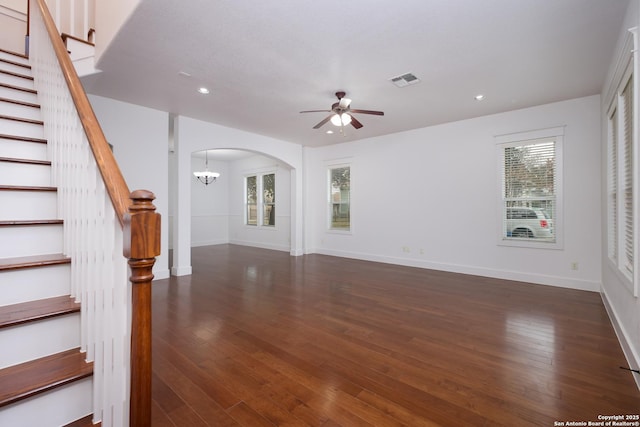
(139, 139)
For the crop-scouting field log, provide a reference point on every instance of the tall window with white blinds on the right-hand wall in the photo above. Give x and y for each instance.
(620, 191)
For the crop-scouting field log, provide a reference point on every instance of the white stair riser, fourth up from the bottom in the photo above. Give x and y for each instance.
(18, 241)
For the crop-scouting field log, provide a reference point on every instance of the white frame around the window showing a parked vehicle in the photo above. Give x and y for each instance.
(522, 139)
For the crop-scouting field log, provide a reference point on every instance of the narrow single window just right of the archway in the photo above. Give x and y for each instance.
(340, 198)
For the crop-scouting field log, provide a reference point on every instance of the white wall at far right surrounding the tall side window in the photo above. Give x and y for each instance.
(623, 307)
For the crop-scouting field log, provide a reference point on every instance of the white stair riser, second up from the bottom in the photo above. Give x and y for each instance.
(33, 340)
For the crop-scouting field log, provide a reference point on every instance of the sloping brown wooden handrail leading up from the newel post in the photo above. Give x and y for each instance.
(114, 181)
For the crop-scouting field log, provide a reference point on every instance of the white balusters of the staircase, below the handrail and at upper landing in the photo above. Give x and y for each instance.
(92, 236)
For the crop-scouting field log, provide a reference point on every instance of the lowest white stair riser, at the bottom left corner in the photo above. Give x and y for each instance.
(51, 409)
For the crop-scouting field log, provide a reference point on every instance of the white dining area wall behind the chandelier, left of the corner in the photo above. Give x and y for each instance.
(210, 205)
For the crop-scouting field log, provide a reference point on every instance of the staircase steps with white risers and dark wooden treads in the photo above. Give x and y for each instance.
(44, 378)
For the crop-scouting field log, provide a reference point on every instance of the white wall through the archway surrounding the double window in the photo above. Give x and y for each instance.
(276, 237)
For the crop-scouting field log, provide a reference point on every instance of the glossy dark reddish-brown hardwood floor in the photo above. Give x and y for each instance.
(258, 338)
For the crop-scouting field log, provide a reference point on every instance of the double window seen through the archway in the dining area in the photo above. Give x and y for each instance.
(260, 199)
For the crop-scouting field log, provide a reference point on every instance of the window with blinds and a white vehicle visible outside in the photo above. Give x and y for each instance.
(530, 205)
